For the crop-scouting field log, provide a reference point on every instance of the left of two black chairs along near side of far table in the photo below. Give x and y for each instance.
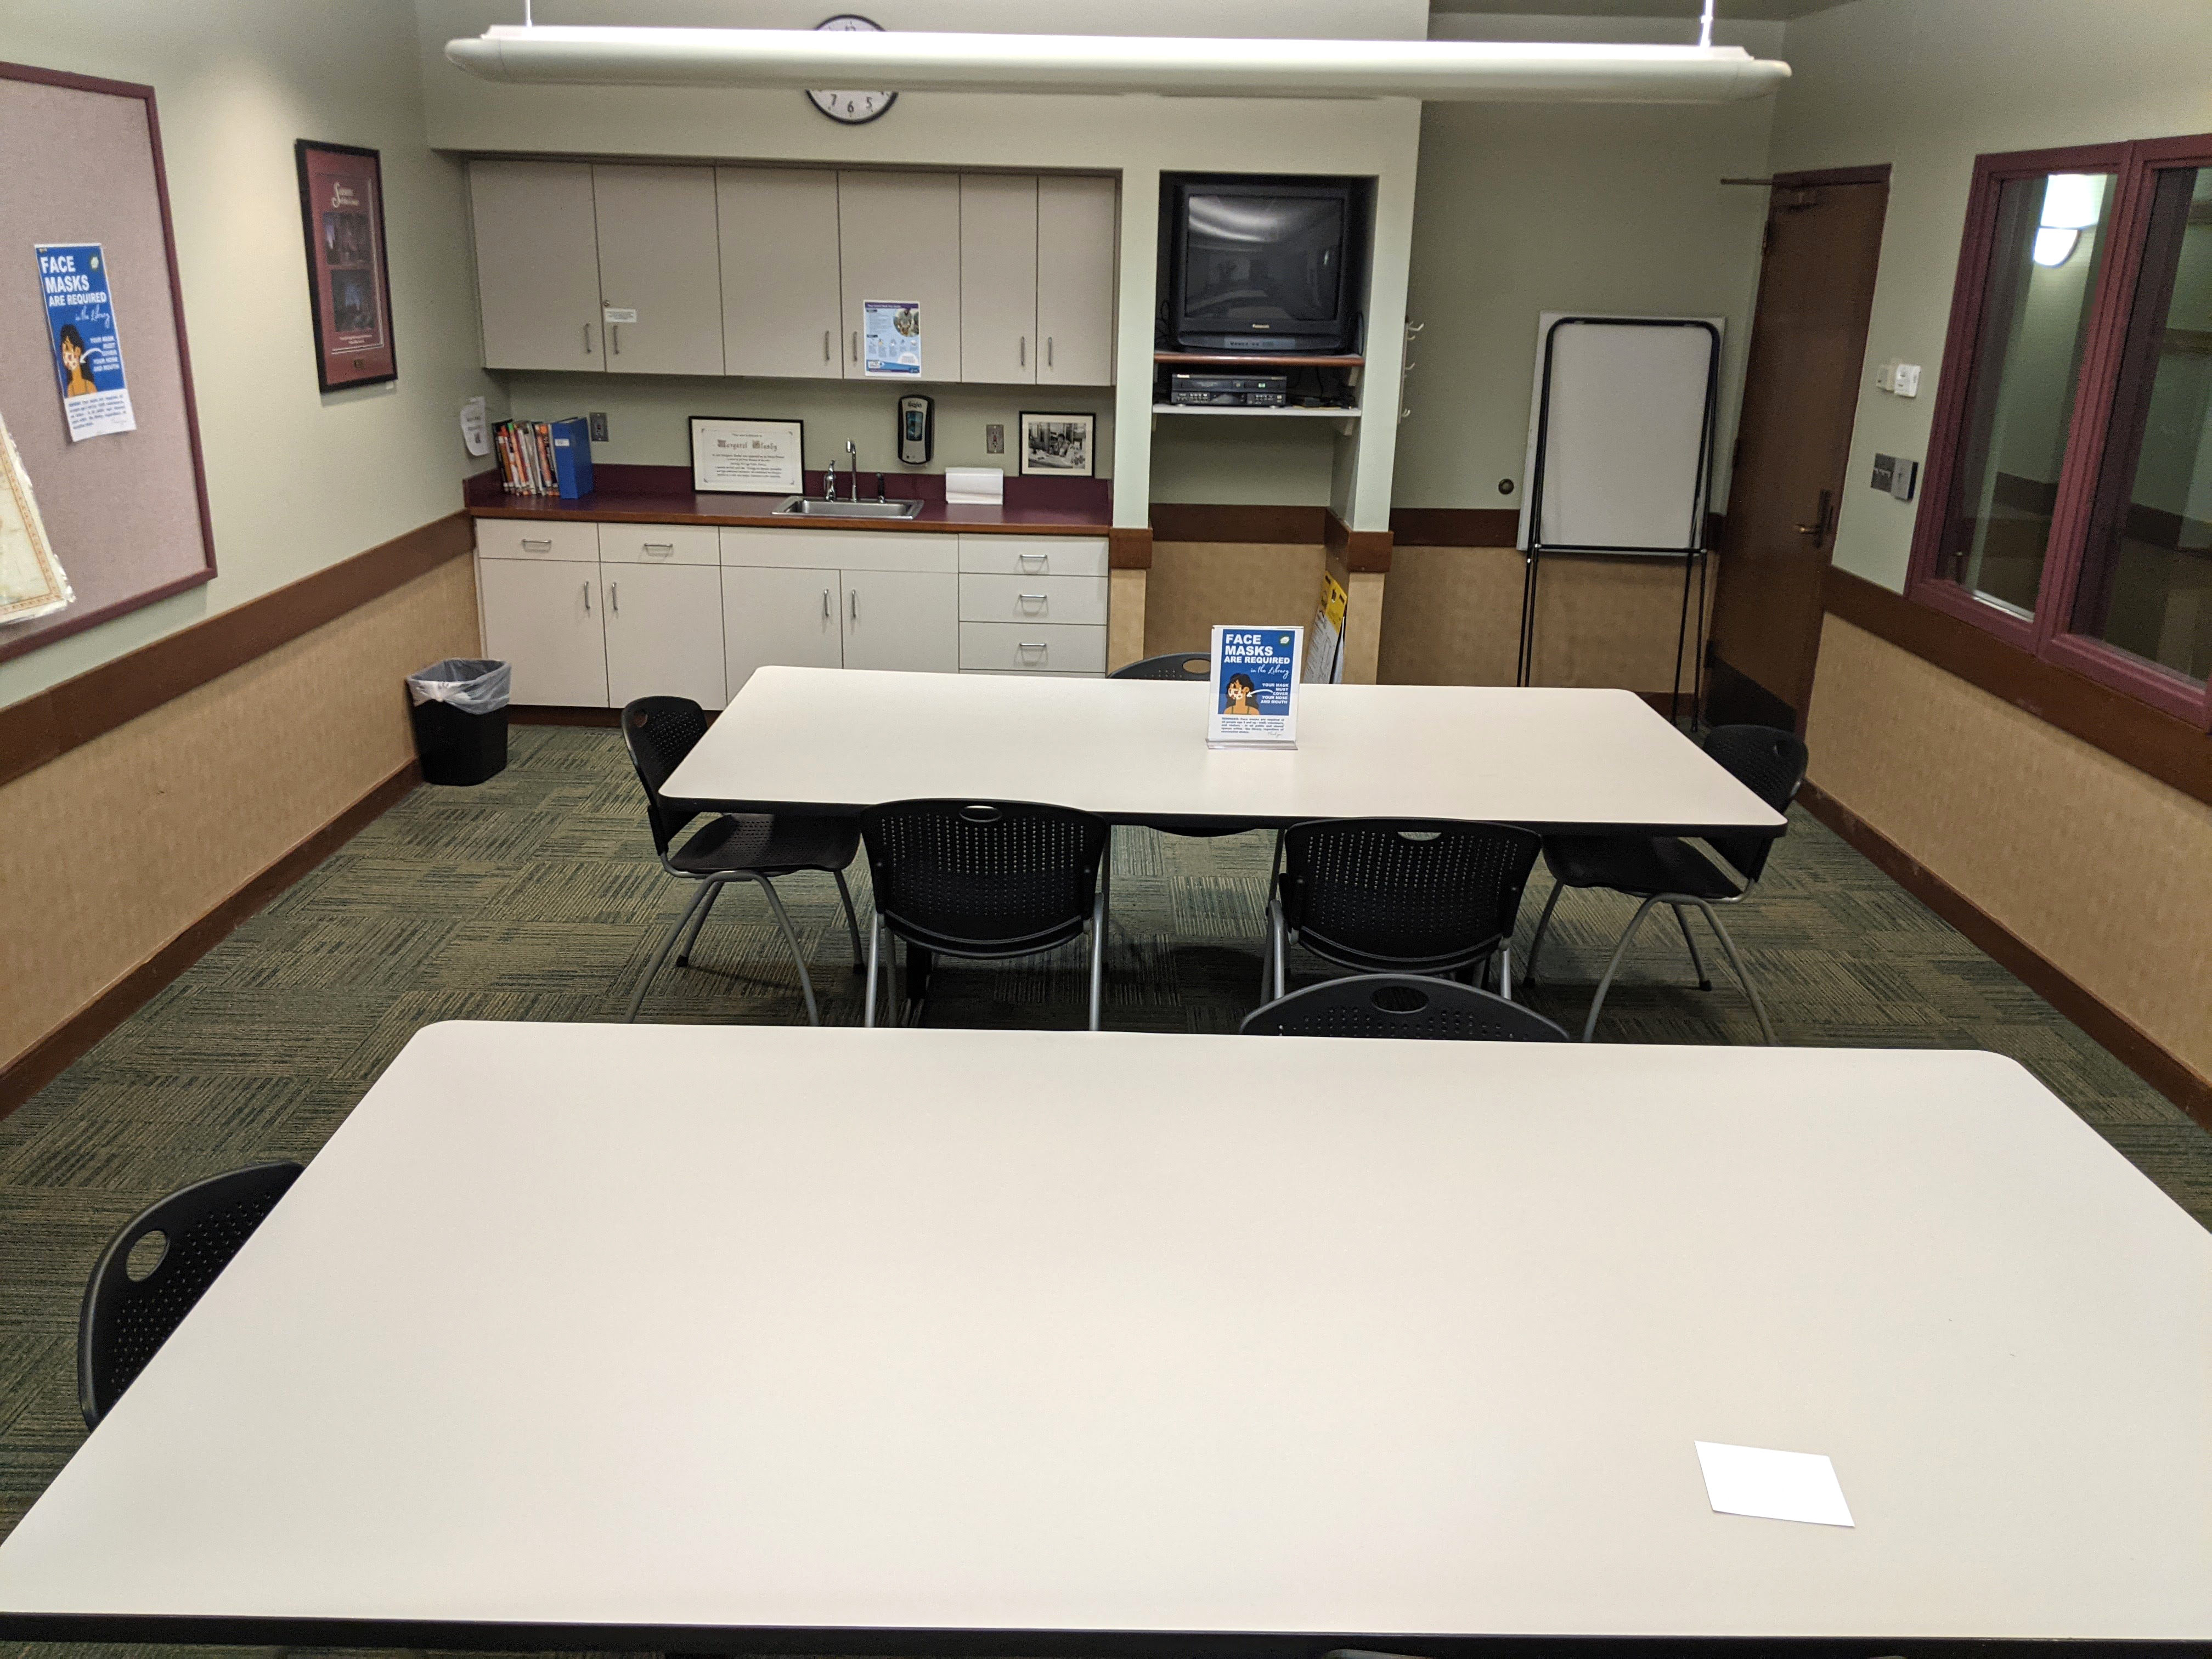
(983, 879)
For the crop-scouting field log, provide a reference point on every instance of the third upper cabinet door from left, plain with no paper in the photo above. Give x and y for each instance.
(780, 275)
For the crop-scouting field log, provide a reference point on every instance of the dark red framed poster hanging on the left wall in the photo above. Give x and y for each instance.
(342, 205)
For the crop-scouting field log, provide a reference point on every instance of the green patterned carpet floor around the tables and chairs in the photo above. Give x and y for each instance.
(536, 897)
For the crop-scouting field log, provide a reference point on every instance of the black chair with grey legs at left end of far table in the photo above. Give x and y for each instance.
(733, 846)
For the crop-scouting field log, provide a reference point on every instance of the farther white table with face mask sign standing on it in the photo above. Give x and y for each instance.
(1134, 751)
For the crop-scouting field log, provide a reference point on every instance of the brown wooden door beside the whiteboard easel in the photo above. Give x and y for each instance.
(1795, 444)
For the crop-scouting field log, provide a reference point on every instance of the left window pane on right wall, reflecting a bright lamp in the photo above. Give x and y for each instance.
(2036, 311)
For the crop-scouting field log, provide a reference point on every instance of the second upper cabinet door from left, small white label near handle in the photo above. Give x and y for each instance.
(662, 260)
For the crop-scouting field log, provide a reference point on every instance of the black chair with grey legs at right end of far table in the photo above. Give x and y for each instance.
(1669, 870)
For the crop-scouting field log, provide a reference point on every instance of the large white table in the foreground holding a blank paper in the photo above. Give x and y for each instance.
(1008, 1344)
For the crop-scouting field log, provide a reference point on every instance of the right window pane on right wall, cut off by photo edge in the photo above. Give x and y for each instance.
(2147, 572)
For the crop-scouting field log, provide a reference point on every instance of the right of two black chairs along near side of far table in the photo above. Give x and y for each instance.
(1401, 895)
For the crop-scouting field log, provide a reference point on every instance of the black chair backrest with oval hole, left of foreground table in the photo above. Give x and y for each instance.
(127, 1319)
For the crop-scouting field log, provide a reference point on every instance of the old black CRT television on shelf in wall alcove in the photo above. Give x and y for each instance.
(1262, 264)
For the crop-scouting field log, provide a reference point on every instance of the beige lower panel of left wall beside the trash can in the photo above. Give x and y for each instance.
(123, 844)
